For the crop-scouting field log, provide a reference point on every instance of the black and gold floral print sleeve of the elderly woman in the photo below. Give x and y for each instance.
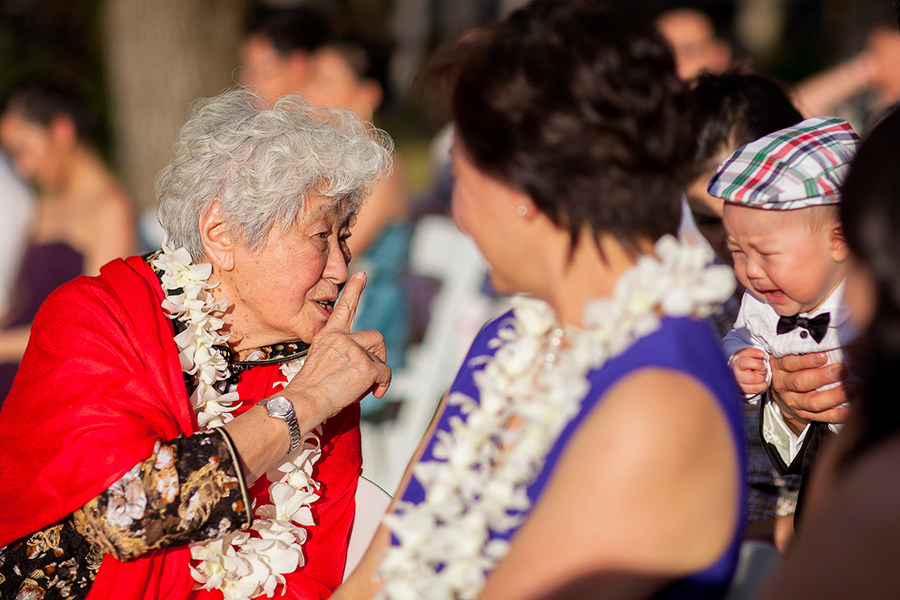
(190, 489)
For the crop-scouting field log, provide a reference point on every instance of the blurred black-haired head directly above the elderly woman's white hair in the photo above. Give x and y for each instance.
(277, 47)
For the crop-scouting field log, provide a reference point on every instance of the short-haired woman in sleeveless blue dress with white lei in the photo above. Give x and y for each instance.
(569, 441)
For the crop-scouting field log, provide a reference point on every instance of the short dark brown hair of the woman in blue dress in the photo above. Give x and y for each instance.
(580, 108)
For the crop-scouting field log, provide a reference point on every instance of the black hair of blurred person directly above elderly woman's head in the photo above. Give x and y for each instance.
(289, 29)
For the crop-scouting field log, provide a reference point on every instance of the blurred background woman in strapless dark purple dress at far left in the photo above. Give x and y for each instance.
(84, 217)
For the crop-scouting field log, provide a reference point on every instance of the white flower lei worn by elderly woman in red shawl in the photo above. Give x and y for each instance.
(240, 565)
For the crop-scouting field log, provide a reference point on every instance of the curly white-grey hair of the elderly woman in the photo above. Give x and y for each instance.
(263, 163)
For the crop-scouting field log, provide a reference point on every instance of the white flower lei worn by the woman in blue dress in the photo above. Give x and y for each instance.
(529, 391)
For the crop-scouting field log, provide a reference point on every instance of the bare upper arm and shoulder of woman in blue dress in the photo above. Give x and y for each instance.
(648, 482)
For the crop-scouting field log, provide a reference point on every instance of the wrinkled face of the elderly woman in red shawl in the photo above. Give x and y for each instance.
(286, 289)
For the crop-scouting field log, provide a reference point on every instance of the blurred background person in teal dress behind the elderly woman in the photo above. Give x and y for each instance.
(352, 74)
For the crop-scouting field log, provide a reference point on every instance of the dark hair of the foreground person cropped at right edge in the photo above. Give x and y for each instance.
(870, 213)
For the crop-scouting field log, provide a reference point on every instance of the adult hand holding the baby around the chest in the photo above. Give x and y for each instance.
(795, 383)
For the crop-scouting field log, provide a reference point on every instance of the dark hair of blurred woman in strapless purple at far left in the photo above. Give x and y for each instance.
(40, 101)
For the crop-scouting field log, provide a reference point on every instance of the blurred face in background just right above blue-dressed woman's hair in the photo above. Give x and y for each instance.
(694, 42)
